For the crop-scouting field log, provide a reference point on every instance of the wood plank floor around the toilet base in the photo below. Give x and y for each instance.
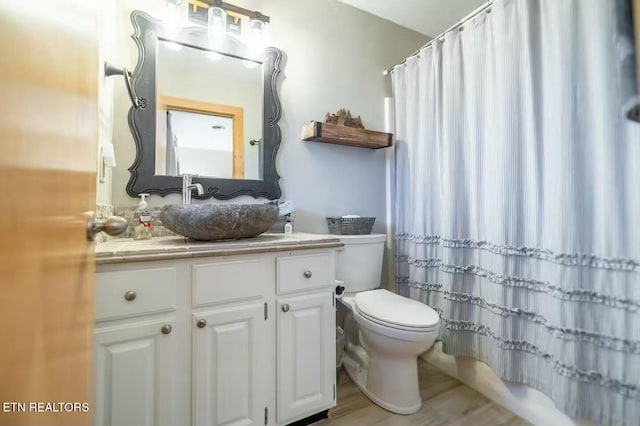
(446, 402)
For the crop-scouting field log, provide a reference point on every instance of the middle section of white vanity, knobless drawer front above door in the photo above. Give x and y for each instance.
(233, 341)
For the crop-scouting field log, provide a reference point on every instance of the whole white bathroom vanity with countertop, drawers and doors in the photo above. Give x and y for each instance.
(214, 333)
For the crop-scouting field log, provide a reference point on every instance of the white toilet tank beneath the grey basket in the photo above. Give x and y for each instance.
(359, 264)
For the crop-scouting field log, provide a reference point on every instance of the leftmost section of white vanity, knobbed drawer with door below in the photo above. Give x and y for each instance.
(137, 347)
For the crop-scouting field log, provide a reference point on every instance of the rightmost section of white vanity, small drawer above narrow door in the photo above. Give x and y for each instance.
(306, 336)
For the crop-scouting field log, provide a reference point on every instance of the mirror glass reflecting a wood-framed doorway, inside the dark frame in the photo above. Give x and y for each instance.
(206, 89)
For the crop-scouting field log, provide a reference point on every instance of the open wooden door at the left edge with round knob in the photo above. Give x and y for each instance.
(48, 144)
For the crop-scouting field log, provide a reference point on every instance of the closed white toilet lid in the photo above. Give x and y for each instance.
(389, 308)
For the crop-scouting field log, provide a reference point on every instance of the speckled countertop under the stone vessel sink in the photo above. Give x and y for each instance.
(119, 250)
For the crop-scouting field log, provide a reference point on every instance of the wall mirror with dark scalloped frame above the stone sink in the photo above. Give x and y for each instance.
(207, 112)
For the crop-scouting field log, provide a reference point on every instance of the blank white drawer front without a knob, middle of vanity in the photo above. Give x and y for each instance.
(231, 281)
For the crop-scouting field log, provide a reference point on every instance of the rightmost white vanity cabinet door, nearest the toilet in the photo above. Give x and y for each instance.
(306, 355)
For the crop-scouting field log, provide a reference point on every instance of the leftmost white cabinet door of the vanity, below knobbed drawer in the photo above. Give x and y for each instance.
(135, 374)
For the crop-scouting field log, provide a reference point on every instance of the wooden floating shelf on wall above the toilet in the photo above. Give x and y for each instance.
(343, 135)
